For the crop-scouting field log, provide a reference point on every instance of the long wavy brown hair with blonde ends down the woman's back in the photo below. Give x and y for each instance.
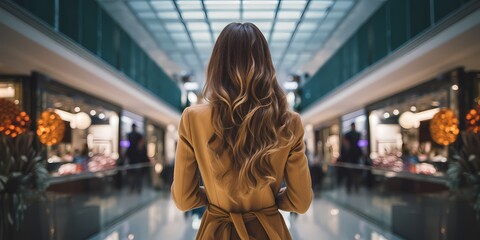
(250, 115)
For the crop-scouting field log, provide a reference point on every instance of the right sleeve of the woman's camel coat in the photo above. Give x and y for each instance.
(298, 193)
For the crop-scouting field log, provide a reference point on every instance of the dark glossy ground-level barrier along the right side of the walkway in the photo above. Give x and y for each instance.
(412, 206)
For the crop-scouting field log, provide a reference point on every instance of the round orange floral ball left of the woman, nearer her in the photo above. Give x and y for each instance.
(50, 129)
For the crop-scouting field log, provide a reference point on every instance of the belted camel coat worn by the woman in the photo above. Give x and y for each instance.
(254, 216)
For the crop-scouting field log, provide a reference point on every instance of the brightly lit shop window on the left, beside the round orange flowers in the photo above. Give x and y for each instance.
(90, 136)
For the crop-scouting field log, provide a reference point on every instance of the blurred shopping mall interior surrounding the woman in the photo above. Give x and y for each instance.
(79, 78)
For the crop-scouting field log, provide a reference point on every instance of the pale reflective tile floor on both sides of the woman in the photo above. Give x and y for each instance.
(324, 220)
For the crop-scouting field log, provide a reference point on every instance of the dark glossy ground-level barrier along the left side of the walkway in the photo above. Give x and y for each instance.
(79, 206)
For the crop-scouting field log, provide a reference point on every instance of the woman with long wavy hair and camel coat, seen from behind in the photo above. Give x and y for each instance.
(245, 142)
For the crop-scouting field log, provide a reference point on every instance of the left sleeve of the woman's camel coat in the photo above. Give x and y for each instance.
(186, 191)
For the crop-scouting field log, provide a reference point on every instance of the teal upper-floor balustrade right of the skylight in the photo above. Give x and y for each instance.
(394, 29)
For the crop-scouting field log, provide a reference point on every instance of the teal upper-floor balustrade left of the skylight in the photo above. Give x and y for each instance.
(85, 24)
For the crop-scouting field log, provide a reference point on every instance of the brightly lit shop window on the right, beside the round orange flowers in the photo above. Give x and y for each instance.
(402, 133)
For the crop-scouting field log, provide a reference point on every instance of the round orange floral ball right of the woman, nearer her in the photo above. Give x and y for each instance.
(444, 127)
